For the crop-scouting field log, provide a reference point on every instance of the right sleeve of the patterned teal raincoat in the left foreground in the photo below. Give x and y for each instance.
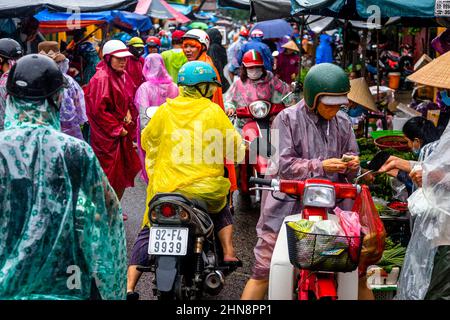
(103, 235)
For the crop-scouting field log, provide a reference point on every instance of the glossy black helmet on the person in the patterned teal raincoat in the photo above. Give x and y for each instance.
(35, 77)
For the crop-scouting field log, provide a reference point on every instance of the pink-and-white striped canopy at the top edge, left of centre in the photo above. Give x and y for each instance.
(160, 9)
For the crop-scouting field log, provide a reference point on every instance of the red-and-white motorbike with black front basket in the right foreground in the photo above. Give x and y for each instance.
(328, 273)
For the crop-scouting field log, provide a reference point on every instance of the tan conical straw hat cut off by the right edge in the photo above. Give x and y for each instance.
(434, 74)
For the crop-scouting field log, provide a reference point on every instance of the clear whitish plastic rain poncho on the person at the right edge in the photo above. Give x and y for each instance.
(430, 208)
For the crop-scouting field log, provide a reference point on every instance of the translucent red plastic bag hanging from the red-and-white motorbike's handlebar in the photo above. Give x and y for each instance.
(372, 227)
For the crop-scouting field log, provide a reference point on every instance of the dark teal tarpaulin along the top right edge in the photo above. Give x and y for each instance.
(368, 8)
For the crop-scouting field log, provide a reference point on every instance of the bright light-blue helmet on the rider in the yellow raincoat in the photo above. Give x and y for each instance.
(196, 72)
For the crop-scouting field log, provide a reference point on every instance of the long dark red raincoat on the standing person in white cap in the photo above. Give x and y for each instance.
(109, 97)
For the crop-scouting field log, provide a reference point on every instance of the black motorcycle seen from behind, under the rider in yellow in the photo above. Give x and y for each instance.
(185, 254)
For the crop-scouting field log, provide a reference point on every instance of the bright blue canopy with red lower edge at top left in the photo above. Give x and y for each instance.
(50, 22)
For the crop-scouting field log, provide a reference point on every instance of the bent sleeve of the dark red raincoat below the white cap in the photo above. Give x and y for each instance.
(99, 102)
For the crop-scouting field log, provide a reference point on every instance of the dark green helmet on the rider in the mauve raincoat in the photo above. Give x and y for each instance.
(324, 79)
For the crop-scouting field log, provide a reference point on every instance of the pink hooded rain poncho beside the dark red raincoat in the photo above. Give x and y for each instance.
(152, 93)
